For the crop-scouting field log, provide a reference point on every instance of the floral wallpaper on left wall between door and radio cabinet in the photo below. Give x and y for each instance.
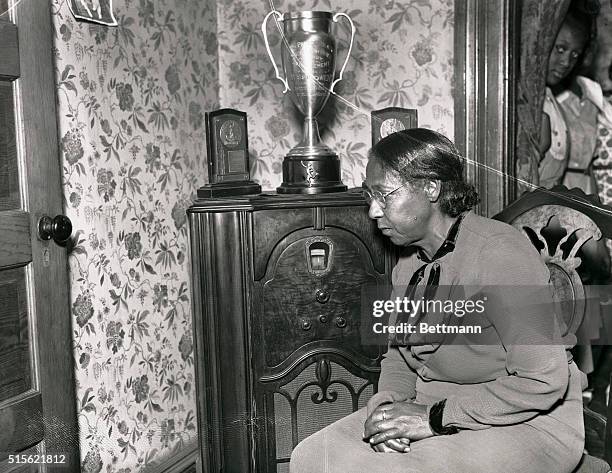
(131, 103)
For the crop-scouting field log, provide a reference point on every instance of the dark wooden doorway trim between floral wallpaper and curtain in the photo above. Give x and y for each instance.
(485, 71)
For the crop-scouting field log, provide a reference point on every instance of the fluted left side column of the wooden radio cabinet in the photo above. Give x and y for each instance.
(219, 288)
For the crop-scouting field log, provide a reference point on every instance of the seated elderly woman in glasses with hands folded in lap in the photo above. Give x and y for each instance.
(514, 405)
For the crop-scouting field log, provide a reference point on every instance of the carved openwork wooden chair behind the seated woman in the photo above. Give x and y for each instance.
(561, 223)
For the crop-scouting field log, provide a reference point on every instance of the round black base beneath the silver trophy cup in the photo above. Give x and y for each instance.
(311, 175)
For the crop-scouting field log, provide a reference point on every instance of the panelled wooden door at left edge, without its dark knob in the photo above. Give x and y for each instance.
(37, 400)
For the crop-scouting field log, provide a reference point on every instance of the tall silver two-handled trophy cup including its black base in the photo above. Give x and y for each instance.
(308, 53)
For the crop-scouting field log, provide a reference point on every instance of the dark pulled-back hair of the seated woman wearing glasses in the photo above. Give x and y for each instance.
(417, 154)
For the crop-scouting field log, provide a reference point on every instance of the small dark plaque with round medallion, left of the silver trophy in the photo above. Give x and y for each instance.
(228, 155)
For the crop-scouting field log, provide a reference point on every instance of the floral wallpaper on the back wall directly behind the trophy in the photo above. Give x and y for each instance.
(402, 57)
